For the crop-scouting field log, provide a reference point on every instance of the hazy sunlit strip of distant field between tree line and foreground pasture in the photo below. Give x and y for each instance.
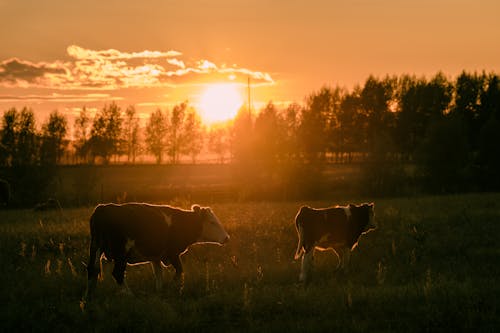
(81, 184)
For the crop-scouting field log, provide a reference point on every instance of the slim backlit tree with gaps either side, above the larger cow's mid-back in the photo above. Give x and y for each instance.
(156, 135)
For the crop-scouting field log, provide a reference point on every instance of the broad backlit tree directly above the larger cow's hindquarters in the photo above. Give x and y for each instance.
(105, 132)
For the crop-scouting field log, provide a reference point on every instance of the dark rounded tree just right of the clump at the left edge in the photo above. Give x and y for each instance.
(53, 139)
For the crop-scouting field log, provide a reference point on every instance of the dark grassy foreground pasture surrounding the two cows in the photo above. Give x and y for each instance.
(433, 265)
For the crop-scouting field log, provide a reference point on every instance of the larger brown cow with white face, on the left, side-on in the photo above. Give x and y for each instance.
(135, 233)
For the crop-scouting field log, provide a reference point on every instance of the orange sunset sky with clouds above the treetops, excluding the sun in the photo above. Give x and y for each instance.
(60, 54)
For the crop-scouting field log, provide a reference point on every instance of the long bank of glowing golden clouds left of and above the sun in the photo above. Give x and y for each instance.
(112, 69)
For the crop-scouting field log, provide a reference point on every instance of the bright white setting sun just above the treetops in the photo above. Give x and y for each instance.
(220, 102)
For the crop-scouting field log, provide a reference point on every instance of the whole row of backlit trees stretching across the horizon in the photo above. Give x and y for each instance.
(439, 130)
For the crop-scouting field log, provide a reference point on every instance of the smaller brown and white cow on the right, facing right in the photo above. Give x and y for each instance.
(337, 228)
